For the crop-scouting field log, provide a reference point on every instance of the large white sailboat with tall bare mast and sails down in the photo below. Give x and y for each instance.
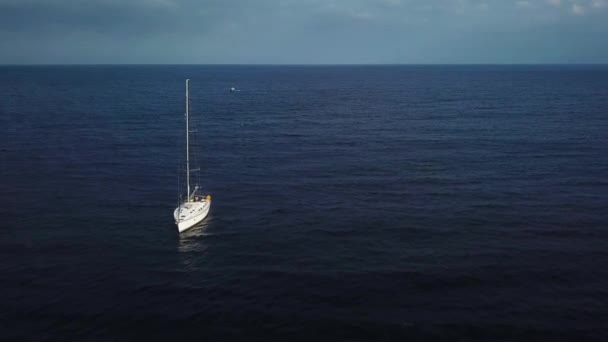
(194, 208)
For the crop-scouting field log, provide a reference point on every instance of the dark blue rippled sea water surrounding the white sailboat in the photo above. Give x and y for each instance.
(349, 203)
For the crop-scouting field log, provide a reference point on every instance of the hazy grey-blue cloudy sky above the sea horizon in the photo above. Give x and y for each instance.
(303, 31)
